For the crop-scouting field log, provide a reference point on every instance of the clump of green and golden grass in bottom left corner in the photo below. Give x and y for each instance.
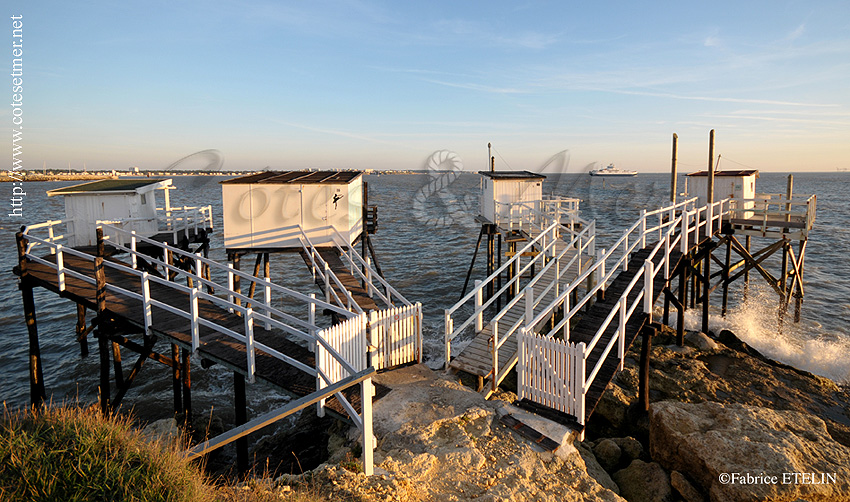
(72, 454)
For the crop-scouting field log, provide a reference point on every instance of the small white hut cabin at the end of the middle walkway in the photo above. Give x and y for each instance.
(500, 189)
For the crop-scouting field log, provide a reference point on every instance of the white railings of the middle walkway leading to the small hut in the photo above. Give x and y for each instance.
(550, 253)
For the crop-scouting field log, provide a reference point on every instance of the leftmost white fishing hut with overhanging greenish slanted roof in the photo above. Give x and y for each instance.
(130, 201)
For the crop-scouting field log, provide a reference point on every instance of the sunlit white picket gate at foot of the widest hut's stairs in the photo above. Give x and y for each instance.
(396, 335)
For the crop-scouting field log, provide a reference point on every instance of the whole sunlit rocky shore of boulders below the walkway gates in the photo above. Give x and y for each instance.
(725, 424)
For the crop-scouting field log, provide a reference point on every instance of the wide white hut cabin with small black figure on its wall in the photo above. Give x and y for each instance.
(268, 211)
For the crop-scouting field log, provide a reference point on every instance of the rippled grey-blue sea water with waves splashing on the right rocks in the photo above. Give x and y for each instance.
(425, 242)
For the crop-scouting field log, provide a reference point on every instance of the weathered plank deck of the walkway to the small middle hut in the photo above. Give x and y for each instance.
(477, 357)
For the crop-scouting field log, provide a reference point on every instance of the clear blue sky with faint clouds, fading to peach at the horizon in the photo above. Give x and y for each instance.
(384, 85)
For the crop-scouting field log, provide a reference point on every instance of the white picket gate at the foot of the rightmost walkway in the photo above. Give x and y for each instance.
(548, 370)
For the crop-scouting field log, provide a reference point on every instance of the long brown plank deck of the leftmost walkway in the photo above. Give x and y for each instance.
(214, 346)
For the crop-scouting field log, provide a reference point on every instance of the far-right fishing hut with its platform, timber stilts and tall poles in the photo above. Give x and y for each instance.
(776, 221)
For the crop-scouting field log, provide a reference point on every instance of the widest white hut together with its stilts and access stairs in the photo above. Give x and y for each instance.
(318, 214)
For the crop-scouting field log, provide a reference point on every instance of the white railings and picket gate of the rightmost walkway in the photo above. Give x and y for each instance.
(677, 227)
